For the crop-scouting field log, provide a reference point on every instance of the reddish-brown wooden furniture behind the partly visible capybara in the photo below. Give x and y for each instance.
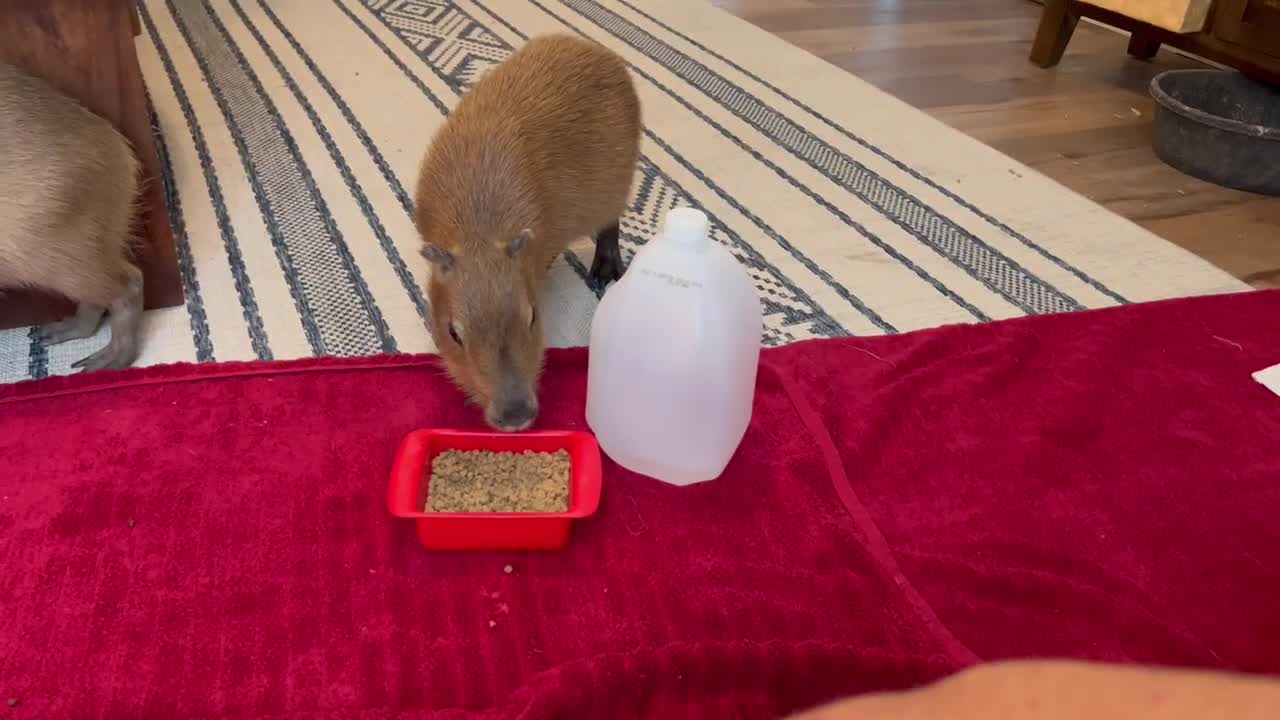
(85, 48)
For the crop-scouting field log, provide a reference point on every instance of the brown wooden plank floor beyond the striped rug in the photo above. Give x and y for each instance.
(1085, 124)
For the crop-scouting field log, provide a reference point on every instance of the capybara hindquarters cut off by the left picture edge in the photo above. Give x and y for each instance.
(68, 194)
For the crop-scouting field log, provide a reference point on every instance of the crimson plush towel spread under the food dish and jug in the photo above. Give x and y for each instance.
(213, 541)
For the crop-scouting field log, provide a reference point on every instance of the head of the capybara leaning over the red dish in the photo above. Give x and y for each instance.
(486, 322)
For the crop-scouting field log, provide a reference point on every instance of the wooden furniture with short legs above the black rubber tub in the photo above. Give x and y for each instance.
(1240, 34)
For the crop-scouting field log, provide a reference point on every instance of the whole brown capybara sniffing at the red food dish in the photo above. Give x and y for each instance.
(540, 153)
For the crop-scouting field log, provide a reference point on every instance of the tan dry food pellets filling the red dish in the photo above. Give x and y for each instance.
(482, 481)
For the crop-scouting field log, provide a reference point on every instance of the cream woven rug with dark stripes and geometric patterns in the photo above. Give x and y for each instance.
(291, 133)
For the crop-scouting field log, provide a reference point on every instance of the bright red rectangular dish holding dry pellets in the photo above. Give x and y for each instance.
(493, 531)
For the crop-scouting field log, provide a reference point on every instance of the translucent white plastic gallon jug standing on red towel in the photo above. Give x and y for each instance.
(675, 348)
